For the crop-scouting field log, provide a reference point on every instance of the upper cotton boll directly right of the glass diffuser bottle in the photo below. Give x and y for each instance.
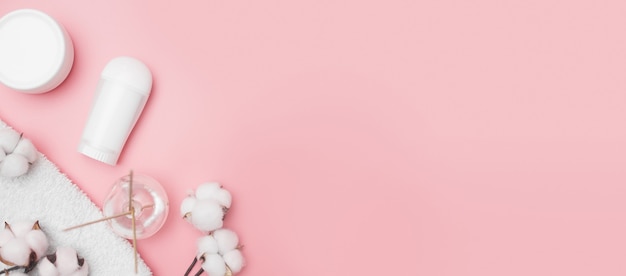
(206, 208)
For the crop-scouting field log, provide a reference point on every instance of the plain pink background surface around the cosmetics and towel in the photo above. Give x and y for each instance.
(361, 137)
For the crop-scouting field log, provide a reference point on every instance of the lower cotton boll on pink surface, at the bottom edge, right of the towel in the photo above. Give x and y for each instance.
(220, 254)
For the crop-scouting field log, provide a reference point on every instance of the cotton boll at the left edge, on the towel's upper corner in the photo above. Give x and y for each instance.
(16, 153)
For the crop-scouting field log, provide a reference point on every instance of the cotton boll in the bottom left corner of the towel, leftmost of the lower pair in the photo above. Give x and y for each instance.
(22, 243)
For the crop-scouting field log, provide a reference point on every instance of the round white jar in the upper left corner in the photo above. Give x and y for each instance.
(36, 53)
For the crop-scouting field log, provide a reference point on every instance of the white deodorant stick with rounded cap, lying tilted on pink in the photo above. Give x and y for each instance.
(122, 93)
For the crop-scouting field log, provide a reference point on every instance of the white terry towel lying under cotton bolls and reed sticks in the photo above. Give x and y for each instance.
(47, 195)
